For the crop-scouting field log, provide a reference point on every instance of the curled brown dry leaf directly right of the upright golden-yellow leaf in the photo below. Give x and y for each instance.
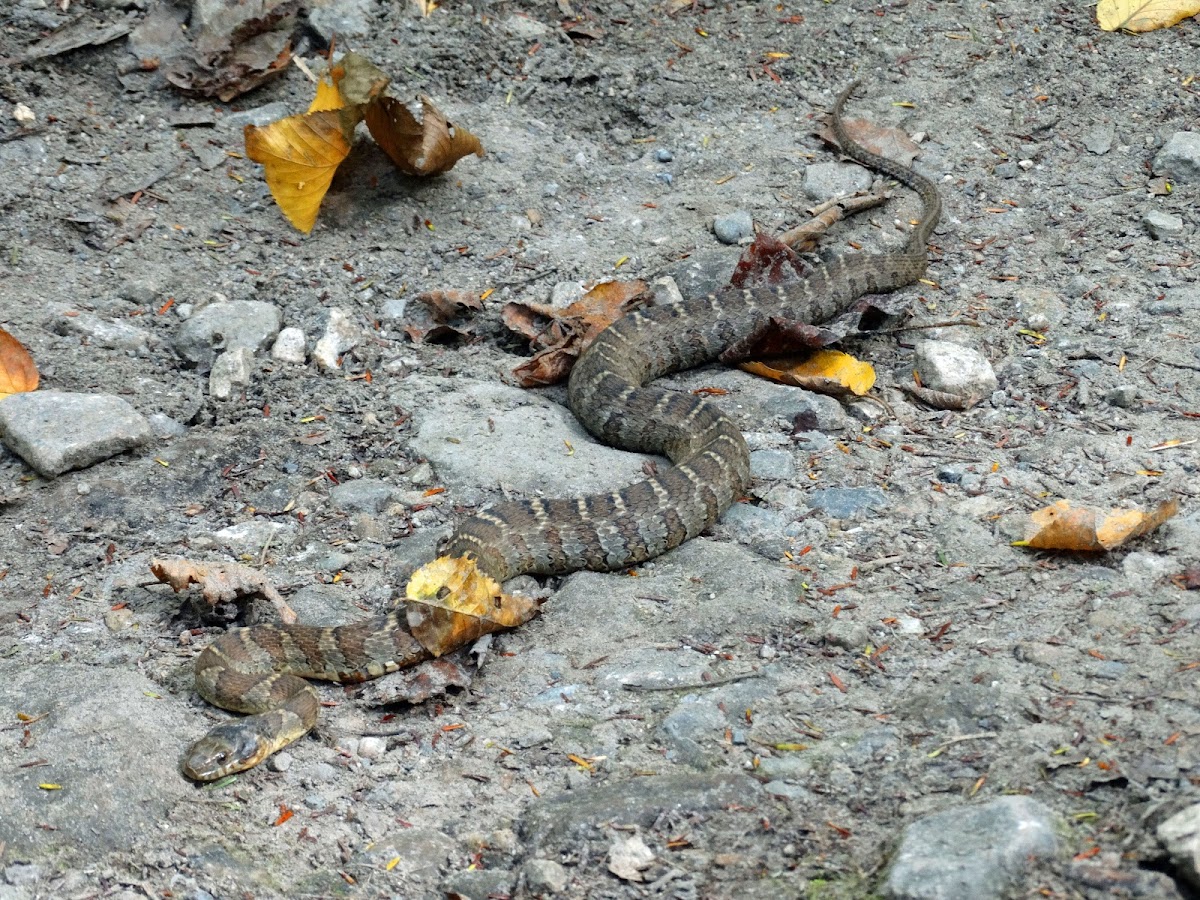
(429, 146)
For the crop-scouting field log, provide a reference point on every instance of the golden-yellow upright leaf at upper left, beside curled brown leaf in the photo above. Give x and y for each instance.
(301, 155)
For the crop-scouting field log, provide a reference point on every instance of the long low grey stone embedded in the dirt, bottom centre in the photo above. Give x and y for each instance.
(641, 801)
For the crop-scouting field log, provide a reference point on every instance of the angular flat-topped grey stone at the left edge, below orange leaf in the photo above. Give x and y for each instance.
(56, 431)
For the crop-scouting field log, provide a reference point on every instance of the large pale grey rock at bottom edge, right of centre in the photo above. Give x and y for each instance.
(971, 851)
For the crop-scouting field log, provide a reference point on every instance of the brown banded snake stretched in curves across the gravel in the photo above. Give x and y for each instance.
(261, 670)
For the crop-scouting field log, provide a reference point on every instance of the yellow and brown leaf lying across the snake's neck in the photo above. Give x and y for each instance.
(451, 603)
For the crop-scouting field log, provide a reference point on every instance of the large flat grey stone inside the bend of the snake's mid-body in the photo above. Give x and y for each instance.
(526, 448)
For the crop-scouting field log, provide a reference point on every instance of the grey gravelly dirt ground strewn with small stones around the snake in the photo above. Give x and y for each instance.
(854, 687)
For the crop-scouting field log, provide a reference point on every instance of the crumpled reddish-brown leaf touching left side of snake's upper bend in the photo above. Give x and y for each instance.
(562, 335)
